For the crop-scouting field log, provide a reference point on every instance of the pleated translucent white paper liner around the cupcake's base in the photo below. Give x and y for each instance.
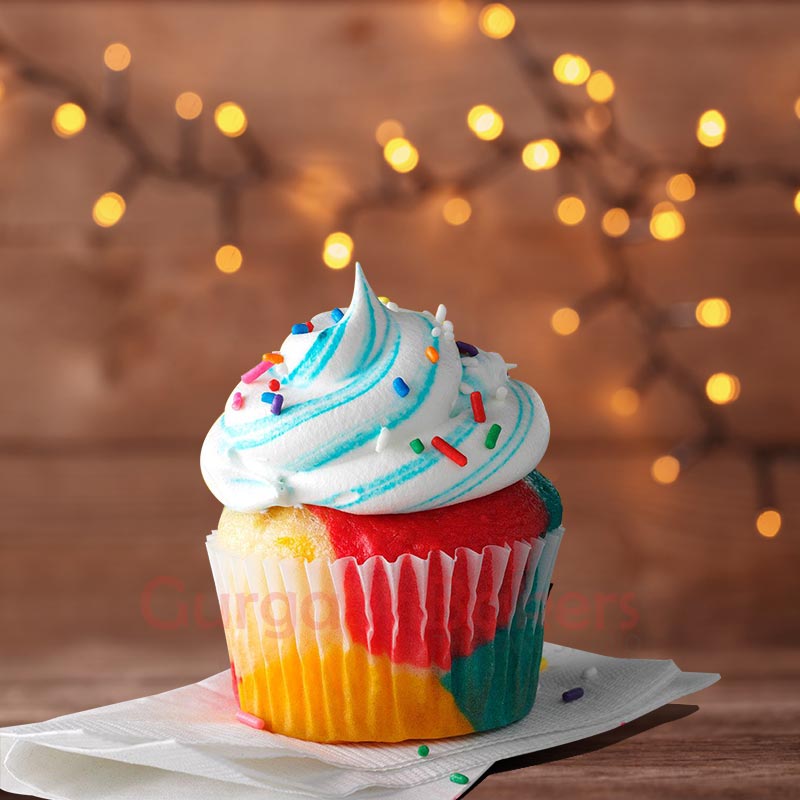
(384, 651)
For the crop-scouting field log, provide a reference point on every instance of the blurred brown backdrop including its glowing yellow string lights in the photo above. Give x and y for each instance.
(605, 193)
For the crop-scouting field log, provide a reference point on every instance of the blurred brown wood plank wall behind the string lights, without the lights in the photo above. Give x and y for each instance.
(118, 347)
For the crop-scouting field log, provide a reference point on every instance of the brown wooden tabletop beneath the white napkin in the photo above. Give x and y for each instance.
(739, 738)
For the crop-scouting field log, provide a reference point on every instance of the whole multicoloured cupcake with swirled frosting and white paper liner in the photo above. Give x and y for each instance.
(385, 549)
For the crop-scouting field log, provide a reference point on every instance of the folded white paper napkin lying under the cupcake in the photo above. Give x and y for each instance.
(186, 745)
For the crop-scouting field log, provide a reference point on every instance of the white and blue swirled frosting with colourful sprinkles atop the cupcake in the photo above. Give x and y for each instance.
(349, 435)
